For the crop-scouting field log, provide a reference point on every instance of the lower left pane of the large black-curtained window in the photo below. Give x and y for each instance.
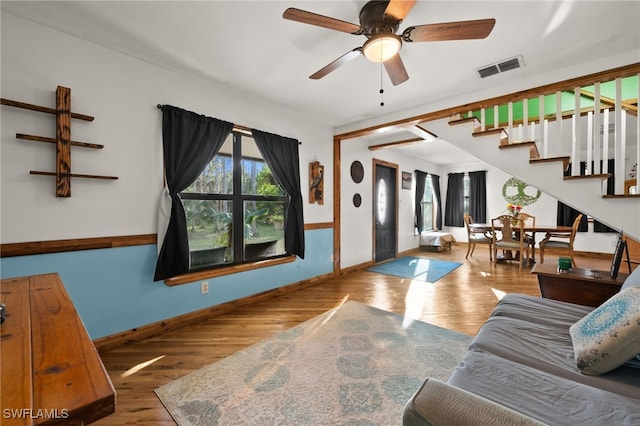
(209, 225)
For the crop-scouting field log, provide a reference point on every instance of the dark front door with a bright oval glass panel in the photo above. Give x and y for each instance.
(385, 212)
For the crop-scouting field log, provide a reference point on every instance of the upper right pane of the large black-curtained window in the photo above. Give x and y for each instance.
(256, 176)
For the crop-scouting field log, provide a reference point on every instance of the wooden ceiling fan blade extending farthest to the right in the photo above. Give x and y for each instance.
(463, 30)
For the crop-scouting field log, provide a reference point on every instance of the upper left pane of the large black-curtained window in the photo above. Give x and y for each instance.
(217, 176)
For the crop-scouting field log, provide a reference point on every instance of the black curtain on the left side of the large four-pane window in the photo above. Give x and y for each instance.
(189, 143)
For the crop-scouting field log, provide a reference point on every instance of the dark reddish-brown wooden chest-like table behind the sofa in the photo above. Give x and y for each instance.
(579, 285)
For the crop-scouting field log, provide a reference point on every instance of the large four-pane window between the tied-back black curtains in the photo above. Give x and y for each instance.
(235, 208)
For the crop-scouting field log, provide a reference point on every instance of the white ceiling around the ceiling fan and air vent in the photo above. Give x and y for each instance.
(249, 46)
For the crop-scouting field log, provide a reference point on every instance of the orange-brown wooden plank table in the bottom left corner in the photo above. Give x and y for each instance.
(50, 370)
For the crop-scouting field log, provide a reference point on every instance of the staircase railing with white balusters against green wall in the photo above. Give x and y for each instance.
(587, 133)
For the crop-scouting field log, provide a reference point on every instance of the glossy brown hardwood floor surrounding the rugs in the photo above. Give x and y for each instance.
(460, 301)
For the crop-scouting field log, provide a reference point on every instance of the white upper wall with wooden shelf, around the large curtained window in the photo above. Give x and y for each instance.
(121, 93)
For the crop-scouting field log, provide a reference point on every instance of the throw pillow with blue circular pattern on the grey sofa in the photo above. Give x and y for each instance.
(609, 335)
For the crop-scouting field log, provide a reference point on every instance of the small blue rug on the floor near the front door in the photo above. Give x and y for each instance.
(416, 268)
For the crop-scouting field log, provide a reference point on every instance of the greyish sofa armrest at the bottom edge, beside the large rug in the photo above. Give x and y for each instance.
(437, 403)
